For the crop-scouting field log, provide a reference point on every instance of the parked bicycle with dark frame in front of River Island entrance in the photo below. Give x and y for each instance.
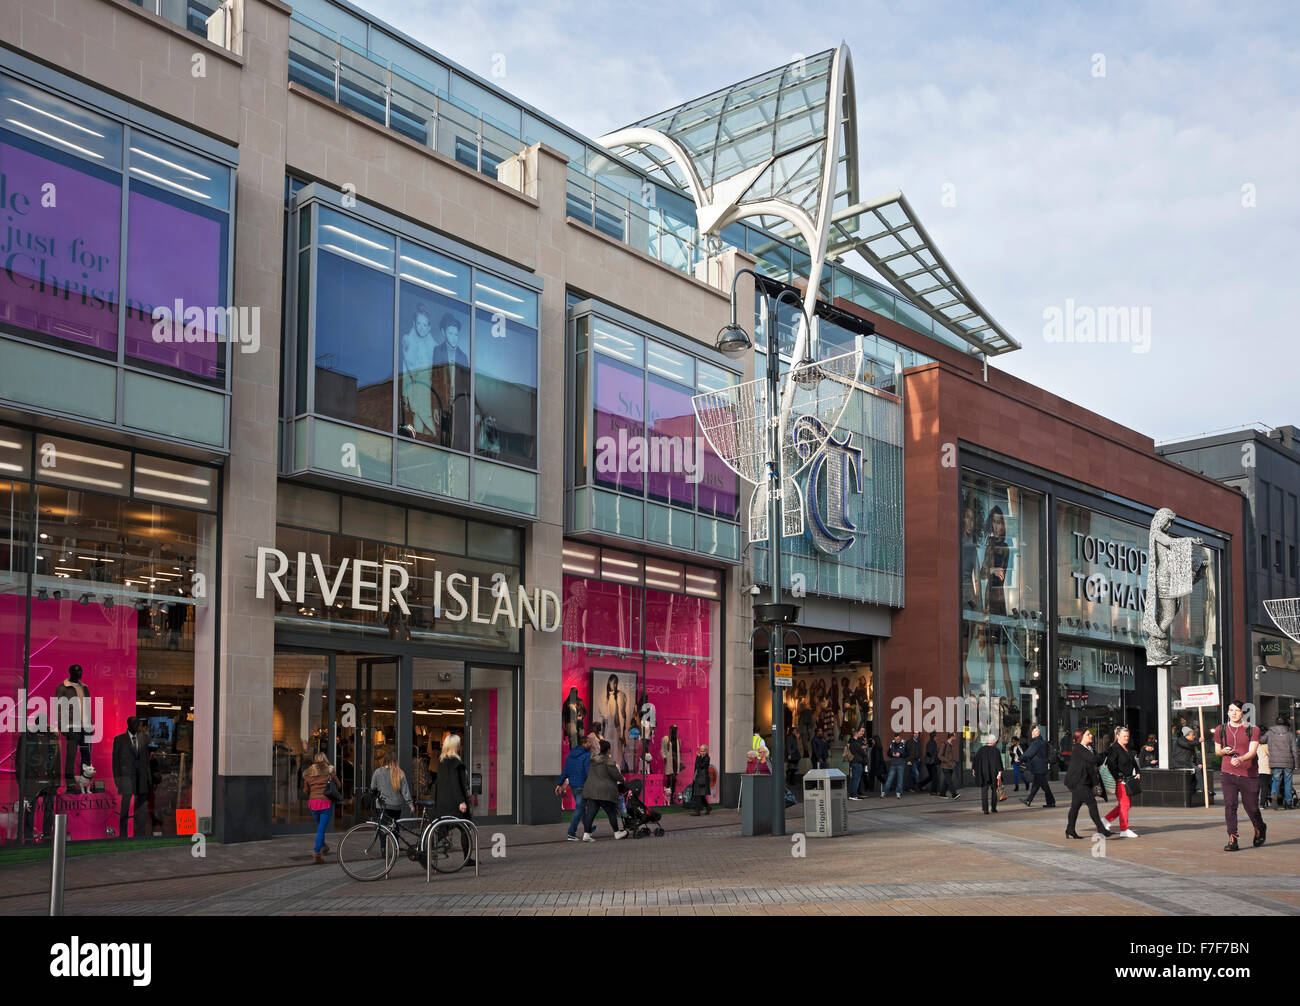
(370, 851)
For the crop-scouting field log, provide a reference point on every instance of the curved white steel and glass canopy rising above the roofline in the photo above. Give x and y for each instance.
(783, 148)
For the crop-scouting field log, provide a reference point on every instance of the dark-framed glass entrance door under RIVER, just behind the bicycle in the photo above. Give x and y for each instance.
(366, 725)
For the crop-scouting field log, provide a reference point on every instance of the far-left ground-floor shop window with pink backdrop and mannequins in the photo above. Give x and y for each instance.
(109, 567)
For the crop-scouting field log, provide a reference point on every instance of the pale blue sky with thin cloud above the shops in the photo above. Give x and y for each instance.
(1065, 158)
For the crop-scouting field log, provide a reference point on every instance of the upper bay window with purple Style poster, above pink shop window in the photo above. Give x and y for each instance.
(639, 448)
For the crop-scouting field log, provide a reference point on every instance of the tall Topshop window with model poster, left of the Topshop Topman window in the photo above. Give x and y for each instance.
(1003, 675)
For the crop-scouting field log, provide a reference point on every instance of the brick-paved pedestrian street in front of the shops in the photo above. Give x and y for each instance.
(918, 856)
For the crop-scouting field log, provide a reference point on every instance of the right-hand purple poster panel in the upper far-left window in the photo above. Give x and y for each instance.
(175, 261)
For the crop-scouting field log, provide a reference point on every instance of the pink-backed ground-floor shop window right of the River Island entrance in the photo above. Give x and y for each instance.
(642, 662)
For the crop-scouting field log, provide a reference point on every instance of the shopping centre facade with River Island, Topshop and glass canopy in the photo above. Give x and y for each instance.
(397, 492)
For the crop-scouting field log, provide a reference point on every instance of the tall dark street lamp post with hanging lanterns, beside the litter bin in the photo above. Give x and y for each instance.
(774, 615)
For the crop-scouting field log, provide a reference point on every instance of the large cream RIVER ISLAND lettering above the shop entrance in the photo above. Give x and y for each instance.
(382, 587)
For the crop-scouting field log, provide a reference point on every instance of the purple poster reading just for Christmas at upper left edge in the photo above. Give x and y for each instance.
(60, 250)
